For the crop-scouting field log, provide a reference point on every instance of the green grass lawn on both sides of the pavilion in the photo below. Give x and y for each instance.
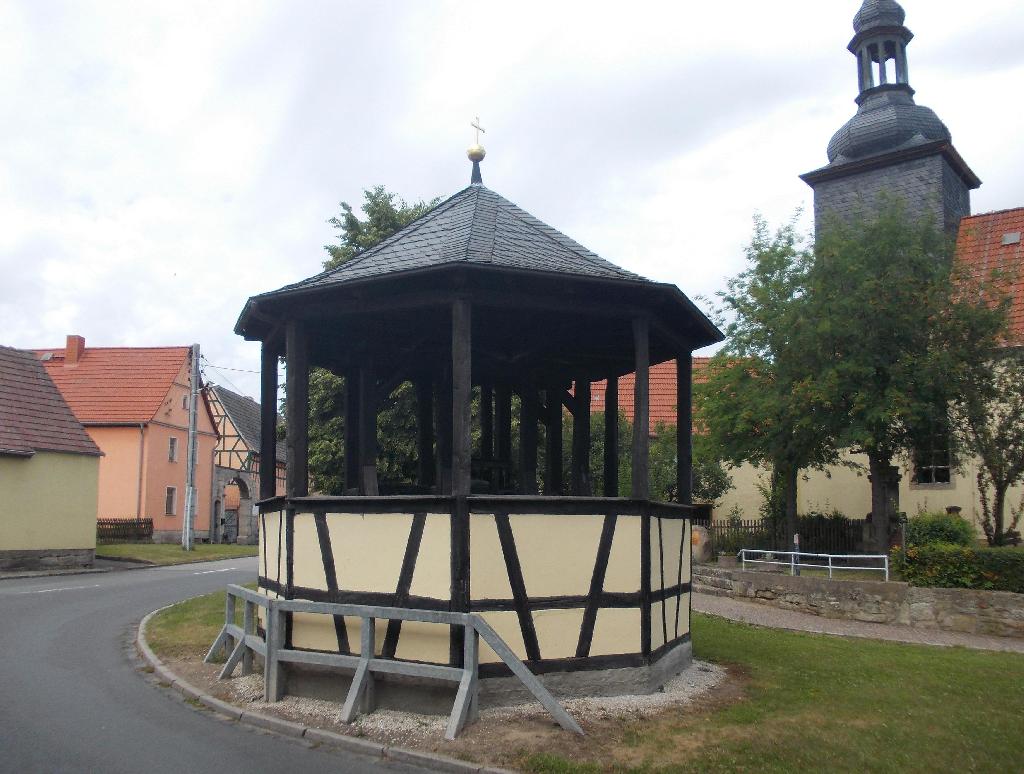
(810, 703)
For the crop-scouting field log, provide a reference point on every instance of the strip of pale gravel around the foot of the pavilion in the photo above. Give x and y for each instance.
(395, 727)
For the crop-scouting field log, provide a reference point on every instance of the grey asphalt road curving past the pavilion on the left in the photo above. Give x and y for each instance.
(72, 702)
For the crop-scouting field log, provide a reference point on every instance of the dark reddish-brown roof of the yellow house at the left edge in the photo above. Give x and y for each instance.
(34, 417)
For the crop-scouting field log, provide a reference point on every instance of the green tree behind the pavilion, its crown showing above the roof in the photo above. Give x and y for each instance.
(385, 214)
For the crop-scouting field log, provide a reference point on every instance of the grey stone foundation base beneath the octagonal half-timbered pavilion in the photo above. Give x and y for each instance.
(436, 698)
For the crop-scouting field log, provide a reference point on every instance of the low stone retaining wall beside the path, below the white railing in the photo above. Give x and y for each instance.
(984, 613)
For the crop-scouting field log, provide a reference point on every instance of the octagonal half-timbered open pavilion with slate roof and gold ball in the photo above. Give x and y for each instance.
(478, 303)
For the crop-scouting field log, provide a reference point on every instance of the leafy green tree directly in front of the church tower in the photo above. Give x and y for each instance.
(891, 331)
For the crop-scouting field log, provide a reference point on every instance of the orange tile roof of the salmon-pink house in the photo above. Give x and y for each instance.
(111, 385)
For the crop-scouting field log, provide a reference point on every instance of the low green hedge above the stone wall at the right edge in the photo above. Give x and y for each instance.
(950, 567)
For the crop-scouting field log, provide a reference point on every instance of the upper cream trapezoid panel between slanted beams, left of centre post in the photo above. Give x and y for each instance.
(369, 549)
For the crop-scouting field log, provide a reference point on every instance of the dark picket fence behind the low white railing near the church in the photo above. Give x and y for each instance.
(817, 536)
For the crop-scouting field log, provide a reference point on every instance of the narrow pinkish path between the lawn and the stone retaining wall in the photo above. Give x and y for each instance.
(766, 616)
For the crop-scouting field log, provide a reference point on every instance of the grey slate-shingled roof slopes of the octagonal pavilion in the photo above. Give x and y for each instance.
(475, 227)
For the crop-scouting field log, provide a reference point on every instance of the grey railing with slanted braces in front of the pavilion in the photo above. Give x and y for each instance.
(240, 643)
